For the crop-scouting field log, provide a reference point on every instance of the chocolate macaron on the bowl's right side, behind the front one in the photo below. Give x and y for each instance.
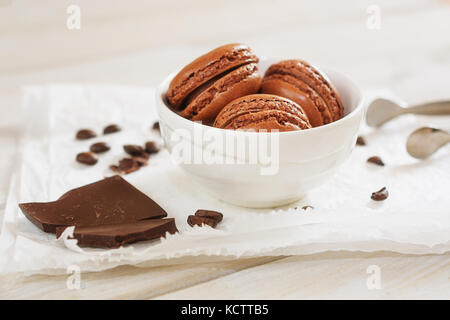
(299, 81)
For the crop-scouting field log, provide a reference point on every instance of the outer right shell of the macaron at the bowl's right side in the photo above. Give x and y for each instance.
(303, 71)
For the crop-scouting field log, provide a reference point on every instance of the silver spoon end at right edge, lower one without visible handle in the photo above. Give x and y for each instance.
(425, 141)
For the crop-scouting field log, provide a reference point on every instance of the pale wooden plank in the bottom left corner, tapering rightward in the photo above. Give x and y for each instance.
(125, 282)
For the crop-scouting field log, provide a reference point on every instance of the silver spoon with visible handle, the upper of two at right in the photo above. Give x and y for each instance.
(383, 110)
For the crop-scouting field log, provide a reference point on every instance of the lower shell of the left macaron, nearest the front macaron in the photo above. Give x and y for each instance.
(207, 104)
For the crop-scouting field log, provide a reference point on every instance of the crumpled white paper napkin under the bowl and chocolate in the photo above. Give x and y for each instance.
(414, 219)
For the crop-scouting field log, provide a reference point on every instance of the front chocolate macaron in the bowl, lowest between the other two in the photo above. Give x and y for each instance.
(262, 112)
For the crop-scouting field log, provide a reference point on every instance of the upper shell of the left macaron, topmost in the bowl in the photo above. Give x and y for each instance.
(205, 68)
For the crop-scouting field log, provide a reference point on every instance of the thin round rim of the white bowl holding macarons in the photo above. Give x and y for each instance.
(160, 94)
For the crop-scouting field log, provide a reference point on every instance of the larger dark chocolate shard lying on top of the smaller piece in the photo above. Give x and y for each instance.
(109, 201)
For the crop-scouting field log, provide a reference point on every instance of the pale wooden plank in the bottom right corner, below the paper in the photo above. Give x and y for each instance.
(332, 275)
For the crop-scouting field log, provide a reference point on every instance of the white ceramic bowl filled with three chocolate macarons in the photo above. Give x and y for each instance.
(306, 158)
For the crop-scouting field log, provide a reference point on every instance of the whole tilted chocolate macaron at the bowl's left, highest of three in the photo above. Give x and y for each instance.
(202, 88)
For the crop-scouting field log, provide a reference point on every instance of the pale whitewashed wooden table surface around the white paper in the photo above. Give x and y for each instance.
(139, 42)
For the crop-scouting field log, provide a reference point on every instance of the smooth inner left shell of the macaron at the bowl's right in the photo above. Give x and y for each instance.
(285, 89)
